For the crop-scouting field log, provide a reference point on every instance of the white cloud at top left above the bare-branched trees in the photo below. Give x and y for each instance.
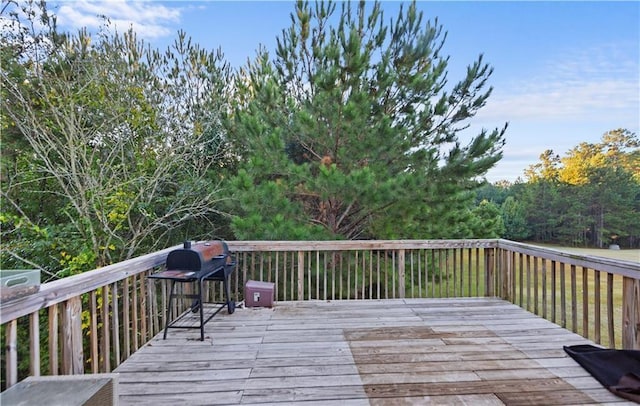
(149, 19)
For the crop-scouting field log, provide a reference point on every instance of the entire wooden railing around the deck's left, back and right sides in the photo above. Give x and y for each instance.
(92, 322)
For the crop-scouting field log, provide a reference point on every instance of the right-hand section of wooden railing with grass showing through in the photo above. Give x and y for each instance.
(596, 297)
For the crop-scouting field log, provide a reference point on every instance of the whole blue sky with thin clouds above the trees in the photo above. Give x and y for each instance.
(565, 72)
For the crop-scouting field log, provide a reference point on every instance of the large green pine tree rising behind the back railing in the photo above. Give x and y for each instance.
(352, 130)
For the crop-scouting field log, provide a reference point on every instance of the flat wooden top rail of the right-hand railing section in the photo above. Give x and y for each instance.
(615, 266)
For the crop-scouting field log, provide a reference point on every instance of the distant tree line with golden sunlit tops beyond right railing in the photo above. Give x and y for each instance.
(589, 197)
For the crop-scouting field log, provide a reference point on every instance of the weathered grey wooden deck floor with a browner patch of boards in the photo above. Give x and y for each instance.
(426, 351)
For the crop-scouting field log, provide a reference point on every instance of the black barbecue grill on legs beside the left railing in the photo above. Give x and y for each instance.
(194, 264)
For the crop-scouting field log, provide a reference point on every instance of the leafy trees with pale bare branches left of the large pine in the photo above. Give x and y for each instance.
(114, 149)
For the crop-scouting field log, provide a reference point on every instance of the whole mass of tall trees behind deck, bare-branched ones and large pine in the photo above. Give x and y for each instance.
(111, 148)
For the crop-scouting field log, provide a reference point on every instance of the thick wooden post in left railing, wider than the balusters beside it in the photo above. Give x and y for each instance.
(73, 360)
